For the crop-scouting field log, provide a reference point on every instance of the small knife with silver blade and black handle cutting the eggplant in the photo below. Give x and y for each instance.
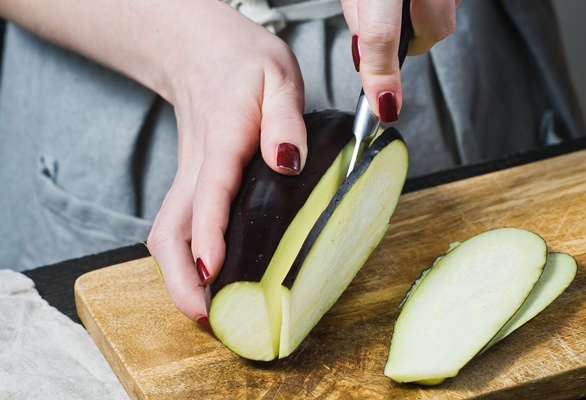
(366, 122)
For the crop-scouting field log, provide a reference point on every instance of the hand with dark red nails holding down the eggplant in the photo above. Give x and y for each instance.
(233, 86)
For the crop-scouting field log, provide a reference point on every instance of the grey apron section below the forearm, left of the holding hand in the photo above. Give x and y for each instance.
(75, 157)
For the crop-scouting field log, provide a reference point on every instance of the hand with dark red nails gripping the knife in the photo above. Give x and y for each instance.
(376, 26)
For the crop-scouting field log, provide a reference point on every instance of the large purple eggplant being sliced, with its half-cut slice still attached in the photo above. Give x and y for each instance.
(294, 243)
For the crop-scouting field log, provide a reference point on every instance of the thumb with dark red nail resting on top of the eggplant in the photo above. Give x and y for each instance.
(283, 132)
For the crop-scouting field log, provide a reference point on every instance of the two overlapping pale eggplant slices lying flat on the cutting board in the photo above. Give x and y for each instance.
(469, 299)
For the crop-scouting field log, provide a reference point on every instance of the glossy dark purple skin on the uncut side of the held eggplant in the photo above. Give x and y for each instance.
(267, 201)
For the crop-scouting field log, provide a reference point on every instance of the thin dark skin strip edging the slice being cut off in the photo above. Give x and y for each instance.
(389, 135)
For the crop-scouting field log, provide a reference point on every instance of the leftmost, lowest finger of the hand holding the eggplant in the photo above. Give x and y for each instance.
(169, 244)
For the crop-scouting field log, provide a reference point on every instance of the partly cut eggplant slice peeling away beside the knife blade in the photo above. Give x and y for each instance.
(343, 238)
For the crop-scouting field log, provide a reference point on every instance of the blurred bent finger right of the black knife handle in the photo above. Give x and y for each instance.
(433, 21)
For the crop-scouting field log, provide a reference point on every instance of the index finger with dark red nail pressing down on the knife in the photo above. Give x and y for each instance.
(379, 29)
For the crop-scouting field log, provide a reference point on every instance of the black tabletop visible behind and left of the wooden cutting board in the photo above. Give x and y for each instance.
(55, 282)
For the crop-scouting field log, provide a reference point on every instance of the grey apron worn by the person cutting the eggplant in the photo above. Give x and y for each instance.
(86, 155)
